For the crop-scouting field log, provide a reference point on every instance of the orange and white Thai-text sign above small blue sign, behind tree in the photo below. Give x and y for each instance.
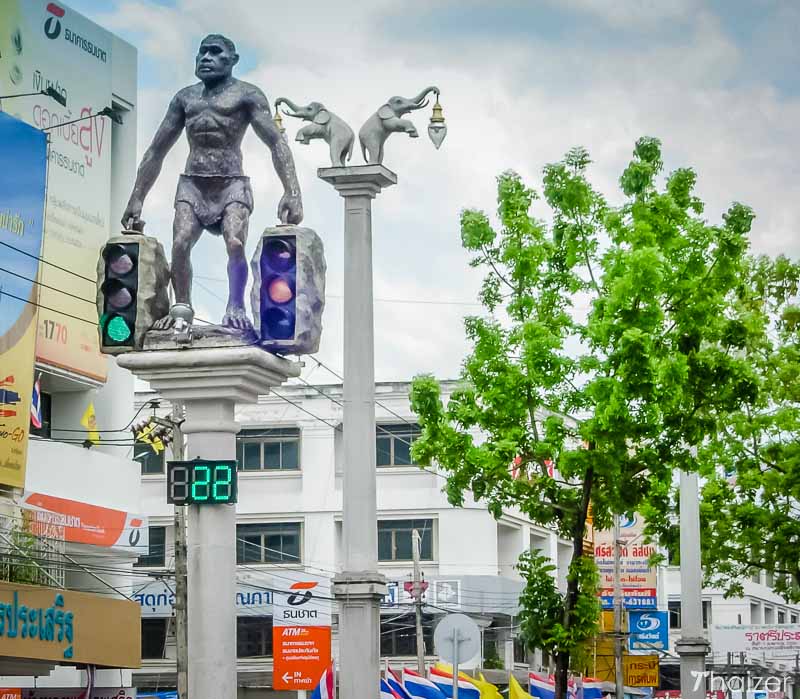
(638, 578)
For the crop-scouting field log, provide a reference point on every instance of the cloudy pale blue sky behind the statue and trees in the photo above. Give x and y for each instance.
(718, 81)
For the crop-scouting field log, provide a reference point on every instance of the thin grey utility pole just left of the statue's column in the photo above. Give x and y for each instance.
(181, 621)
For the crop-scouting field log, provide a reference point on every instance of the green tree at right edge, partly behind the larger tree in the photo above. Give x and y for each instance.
(750, 502)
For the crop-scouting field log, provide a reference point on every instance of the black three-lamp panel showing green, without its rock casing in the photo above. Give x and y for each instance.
(120, 288)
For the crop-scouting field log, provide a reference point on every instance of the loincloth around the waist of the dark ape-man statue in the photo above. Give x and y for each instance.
(208, 196)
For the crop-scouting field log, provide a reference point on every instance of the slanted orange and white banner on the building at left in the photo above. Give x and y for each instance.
(50, 517)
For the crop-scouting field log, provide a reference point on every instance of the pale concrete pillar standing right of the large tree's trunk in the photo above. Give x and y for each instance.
(692, 646)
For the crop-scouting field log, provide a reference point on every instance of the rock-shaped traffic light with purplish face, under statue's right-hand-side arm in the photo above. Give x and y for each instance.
(288, 293)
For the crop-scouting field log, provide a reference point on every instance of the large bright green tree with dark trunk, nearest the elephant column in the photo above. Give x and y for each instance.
(605, 348)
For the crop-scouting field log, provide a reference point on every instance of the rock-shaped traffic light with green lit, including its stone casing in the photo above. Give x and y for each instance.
(132, 284)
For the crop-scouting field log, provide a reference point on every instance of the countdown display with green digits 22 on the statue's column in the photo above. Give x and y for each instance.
(201, 482)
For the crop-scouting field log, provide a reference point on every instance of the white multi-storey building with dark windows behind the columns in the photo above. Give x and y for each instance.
(289, 516)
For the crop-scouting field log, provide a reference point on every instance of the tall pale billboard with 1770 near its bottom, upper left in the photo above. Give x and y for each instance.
(47, 45)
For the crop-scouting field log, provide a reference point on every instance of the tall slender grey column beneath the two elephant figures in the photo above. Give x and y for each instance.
(359, 588)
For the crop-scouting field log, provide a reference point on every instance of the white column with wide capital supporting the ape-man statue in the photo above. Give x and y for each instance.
(209, 382)
